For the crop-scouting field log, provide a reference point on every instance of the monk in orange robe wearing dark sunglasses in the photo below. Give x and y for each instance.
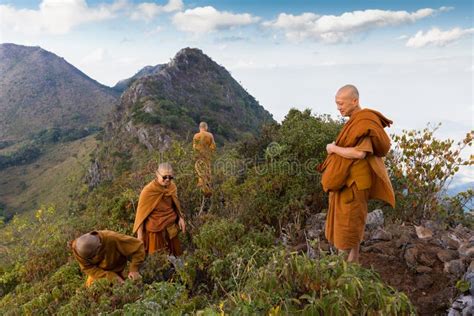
(159, 214)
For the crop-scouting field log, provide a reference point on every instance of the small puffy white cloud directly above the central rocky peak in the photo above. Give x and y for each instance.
(207, 19)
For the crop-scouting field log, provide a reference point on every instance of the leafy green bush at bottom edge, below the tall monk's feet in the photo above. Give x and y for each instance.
(295, 284)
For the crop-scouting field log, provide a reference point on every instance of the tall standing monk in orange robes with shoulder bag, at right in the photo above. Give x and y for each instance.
(354, 172)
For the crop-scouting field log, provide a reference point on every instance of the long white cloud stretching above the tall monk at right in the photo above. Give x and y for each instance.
(335, 29)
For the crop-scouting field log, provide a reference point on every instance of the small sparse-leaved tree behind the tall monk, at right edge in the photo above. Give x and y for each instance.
(422, 167)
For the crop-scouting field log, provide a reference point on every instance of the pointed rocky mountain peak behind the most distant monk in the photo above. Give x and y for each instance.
(170, 100)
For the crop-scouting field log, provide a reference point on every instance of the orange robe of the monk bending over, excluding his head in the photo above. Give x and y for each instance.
(111, 259)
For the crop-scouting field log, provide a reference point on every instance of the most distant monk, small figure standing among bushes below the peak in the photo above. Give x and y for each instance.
(204, 147)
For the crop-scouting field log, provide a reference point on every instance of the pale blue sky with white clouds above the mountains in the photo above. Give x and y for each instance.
(411, 60)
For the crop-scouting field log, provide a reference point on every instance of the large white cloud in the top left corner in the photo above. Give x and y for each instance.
(55, 16)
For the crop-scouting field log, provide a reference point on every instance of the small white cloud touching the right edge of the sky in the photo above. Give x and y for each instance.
(437, 37)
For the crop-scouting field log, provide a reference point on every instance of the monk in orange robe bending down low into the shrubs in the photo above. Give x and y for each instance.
(104, 254)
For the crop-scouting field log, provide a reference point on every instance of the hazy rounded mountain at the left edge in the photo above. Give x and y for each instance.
(40, 90)
